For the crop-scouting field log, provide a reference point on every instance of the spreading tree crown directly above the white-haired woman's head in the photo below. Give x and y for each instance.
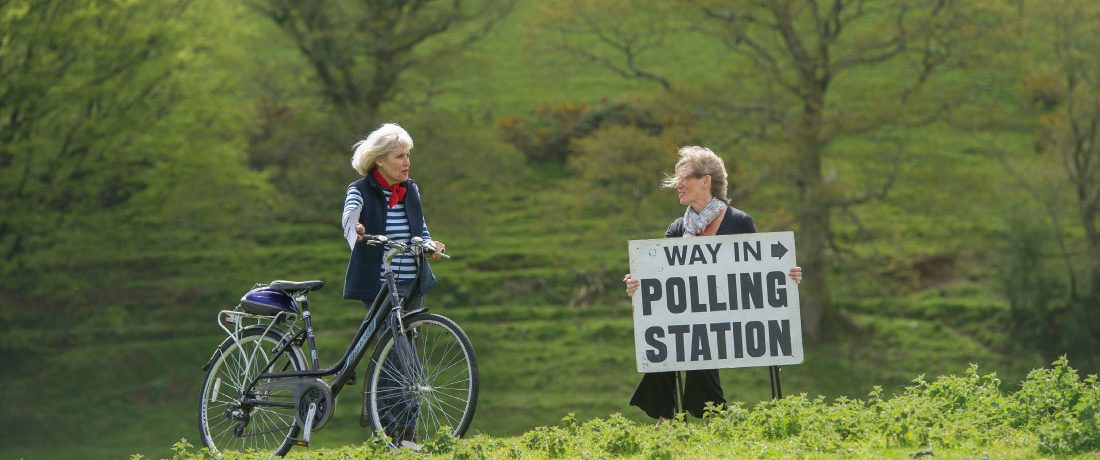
(359, 51)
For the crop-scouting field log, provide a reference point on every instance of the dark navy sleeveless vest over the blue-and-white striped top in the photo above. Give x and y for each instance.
(362, 281)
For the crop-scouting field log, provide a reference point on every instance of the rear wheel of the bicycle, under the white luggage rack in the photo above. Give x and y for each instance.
(234, 365)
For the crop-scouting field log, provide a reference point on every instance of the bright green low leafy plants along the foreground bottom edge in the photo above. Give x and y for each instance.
(950, 417)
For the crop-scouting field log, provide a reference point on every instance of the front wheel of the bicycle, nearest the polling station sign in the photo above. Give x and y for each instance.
(423, 382)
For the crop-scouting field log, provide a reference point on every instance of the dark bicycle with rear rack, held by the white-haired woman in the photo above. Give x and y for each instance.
(261, 393)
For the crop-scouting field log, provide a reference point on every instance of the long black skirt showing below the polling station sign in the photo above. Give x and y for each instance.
(656, 393)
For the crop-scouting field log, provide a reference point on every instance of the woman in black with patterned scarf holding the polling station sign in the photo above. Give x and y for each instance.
(701, 184)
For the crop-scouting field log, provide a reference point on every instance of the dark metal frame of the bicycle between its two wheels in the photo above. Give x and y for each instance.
(387, 303)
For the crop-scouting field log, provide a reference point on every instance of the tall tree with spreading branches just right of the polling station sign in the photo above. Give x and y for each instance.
(791, 54)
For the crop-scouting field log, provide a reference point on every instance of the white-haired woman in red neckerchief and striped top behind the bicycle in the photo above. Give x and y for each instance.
(386, 202)
